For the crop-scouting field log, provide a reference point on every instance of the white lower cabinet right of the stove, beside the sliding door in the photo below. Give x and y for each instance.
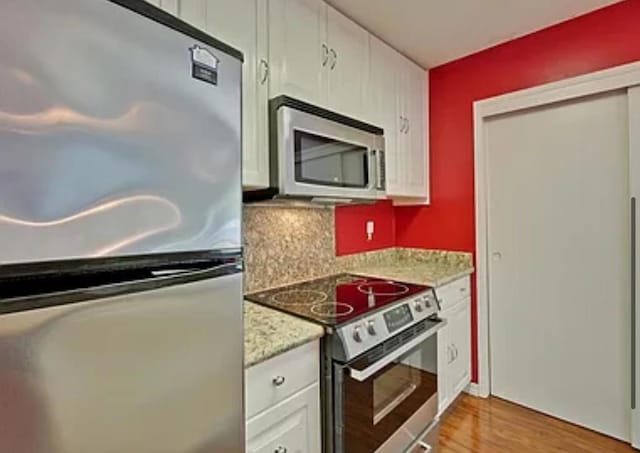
(454, 343)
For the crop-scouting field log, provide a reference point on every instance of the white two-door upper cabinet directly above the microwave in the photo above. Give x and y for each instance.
(318, 55)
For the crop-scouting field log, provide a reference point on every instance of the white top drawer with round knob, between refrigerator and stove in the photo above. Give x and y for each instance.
(280, 377)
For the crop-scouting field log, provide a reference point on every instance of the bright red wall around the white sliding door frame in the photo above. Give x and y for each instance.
(601, 39)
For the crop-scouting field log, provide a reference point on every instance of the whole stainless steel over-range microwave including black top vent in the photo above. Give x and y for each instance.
(322, 156)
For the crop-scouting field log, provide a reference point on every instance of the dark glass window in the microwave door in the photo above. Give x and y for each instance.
(322, 161)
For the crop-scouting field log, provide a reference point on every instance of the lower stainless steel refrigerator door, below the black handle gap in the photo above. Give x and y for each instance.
(154, 372)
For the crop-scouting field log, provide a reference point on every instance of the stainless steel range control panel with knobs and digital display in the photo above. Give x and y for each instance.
(363, 334)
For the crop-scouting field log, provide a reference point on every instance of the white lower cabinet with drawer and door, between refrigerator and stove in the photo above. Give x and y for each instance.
(283, 403)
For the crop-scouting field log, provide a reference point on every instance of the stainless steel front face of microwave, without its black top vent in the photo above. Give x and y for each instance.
(319, 157)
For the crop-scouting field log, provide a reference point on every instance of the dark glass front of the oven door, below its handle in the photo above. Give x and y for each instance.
(376, 407)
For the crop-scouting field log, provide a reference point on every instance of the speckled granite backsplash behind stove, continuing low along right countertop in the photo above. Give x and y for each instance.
(283, 245)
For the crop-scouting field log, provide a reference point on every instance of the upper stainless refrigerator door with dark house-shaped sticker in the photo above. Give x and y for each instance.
(118, 135)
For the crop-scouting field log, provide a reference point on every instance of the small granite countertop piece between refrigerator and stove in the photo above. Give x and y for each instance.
(268, 332)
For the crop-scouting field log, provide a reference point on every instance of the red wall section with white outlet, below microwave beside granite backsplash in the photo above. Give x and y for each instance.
(351, 228)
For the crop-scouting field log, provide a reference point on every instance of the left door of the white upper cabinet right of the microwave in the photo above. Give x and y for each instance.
(382, 103)
